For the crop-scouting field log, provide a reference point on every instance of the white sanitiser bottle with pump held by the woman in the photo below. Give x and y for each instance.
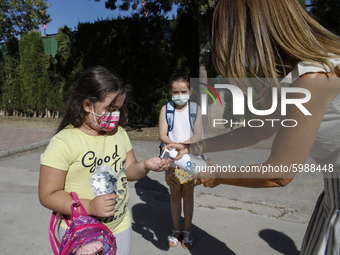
(190, 163)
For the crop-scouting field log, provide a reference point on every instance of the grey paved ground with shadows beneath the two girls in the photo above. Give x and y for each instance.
(227, 219)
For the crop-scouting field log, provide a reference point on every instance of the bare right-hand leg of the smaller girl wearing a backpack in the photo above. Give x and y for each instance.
(188, 204)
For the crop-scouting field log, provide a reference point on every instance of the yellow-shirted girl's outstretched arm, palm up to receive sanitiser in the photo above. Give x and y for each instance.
(137, 170)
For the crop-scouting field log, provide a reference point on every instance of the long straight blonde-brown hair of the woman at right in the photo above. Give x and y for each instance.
(267, 38)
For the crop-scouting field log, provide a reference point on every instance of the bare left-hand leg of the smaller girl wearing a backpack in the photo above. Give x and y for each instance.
(176, 208)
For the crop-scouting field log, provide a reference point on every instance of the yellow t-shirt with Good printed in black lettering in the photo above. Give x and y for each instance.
(96, 165)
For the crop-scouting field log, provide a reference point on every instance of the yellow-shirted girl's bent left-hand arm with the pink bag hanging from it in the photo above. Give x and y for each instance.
(53, 196)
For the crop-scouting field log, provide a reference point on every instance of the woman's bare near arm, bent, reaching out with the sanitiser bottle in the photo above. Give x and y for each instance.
(291, 144)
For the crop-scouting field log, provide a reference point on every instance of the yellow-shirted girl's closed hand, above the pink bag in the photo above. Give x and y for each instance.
(103, 205)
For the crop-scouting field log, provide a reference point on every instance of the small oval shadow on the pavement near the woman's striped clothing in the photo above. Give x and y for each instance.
(279, 241)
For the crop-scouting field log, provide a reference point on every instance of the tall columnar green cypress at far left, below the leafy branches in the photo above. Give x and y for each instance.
(32, 72)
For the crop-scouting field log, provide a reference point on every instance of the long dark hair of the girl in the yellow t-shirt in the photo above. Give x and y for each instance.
(93, 85)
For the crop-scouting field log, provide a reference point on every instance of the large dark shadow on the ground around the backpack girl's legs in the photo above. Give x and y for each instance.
(154, 223)
